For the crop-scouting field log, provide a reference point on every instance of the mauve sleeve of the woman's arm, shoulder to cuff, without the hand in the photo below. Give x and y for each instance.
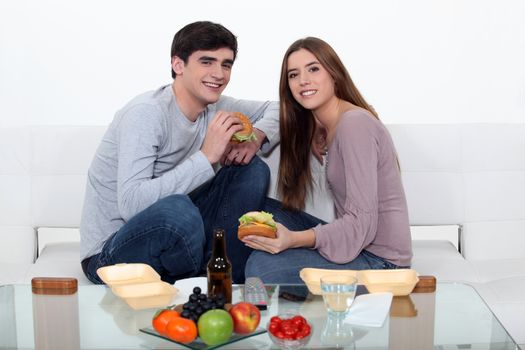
(353, 177)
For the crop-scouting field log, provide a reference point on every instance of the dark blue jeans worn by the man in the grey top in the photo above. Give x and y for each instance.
(174, 235)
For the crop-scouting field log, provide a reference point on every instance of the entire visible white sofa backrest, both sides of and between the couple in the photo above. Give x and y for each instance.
(454, 174)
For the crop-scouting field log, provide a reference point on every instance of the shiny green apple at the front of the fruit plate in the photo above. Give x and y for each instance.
(215, 326)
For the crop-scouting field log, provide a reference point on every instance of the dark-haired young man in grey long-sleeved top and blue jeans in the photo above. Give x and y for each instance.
(154, 194)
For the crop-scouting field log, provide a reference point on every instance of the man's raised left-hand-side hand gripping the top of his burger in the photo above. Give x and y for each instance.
(219, 134)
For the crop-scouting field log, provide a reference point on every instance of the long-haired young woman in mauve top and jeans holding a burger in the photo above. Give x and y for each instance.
(371, 228)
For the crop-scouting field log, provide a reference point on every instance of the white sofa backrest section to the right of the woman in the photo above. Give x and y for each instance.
(467, 174)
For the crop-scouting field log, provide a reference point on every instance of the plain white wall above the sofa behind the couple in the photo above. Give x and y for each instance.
(436, 61)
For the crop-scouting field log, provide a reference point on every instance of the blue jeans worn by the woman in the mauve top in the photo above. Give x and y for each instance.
(285, 266)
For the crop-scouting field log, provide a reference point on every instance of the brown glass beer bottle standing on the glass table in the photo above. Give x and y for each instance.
(219, 268)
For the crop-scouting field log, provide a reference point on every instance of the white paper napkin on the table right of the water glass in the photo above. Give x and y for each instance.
(369, 310)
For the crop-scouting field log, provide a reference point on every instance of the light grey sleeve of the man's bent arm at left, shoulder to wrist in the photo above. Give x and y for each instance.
(140, 135)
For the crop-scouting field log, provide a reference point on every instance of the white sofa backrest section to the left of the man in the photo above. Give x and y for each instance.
(44, 173)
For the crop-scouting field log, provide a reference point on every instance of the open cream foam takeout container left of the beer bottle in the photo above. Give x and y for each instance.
(139, 285)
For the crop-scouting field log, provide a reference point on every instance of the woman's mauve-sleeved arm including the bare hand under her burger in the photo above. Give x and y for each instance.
(355, 153)
